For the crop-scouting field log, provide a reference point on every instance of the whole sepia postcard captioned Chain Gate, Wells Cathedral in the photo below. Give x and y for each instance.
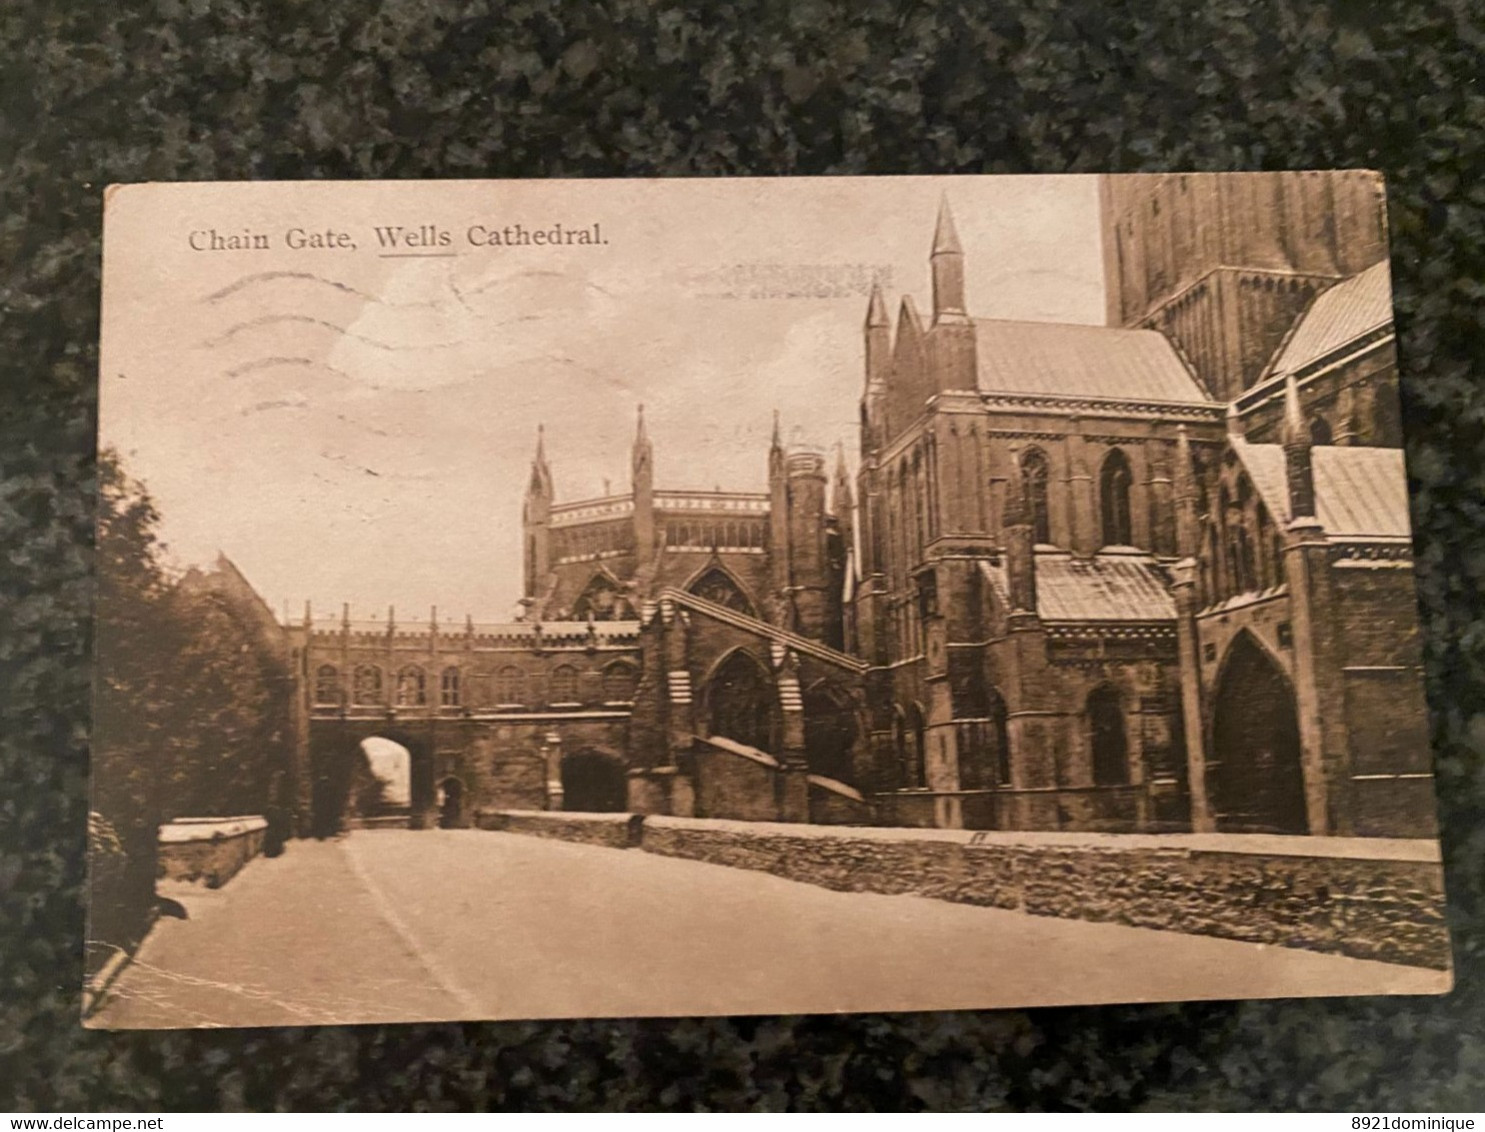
(555, 599)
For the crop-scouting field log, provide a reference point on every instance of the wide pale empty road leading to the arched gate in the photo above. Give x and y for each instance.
(446, 925)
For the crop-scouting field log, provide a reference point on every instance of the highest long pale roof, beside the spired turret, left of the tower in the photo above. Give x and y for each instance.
(1071, 360)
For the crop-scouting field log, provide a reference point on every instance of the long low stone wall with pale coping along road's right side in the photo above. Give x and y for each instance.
(1364, 898)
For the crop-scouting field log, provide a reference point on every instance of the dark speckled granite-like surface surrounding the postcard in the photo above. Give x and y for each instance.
(96, 93)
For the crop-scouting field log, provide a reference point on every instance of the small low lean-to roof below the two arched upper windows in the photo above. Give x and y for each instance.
(1112, 586)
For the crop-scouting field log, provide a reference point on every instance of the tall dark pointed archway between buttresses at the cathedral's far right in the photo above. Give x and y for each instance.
(1257, 770)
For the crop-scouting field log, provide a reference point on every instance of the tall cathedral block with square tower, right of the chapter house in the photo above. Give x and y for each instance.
(1152, 576)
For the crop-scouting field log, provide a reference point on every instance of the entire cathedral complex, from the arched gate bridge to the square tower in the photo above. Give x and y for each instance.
(1140, 577)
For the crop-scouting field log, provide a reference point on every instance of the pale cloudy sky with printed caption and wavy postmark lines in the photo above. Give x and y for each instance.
(357, 424)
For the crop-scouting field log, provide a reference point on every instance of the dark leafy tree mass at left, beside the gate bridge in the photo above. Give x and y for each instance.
(192, 708)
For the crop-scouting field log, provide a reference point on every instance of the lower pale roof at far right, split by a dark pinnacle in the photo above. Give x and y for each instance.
(1358, 492)
